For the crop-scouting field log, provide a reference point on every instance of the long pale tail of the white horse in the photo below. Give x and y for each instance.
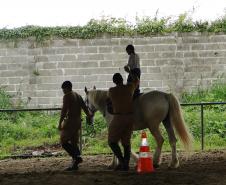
(177, 120)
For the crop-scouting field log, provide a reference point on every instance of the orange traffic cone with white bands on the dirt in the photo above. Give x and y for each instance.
(145, 164)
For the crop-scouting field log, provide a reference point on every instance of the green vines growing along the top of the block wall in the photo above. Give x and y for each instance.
(115, 27)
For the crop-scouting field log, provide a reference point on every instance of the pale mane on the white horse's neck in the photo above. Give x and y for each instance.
(98, 97)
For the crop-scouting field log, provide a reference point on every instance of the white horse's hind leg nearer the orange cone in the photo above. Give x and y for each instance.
(159, 140)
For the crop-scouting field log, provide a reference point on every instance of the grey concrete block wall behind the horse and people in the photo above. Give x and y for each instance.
(33, 72)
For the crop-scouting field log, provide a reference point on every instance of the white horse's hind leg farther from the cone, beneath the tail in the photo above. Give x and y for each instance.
(172, 140)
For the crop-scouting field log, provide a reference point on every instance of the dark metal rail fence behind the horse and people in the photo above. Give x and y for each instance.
(202, 104)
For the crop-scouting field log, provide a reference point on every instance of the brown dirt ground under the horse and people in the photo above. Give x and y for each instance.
(202, 168)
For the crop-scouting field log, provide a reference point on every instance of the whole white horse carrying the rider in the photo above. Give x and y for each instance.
(150, 109)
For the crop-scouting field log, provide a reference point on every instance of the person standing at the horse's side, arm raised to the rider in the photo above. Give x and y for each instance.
(120, 128)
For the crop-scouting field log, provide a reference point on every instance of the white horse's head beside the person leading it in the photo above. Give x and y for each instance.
(90, 105)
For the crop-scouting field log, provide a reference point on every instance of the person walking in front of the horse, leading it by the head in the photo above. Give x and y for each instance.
(70, 123)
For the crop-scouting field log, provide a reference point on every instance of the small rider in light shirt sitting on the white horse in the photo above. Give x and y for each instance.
(133, 67)
